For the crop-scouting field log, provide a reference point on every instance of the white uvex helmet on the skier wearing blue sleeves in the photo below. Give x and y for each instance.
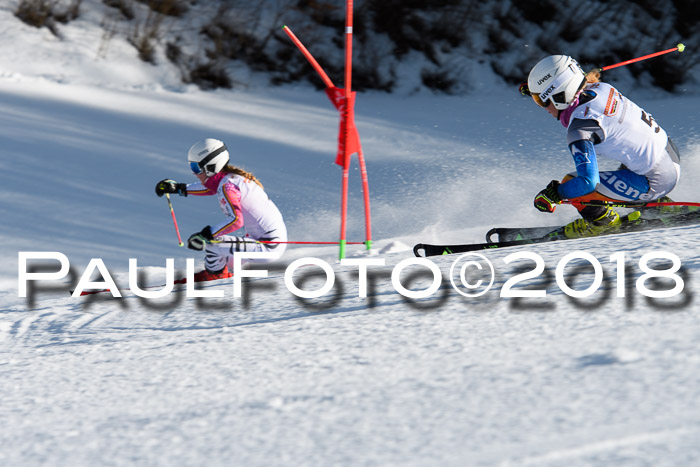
(557, 77)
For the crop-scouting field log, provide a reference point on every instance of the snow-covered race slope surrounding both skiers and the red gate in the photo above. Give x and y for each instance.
(269, 379)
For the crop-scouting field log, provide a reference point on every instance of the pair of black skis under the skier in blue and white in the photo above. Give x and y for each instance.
(508, 237)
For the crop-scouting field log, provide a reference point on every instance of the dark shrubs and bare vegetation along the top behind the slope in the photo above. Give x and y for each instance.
(449, 38)
